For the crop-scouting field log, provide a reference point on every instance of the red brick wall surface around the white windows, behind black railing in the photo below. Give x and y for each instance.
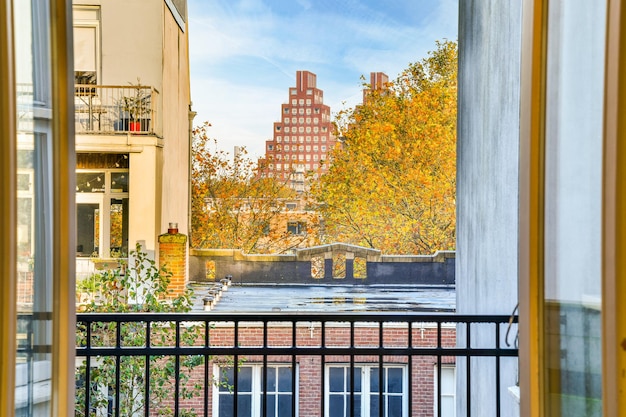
(310, 388)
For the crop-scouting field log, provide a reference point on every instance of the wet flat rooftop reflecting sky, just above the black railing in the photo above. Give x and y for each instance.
(263, 298)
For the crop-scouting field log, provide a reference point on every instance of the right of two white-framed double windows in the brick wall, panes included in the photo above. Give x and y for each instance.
(367, 382)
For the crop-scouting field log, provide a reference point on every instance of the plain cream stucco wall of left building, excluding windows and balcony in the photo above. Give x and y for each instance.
(142, 40)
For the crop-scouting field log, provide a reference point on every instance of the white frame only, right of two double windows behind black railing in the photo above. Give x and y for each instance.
(365, 387)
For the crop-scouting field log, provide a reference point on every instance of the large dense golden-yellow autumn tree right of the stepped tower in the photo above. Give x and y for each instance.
(391, 186)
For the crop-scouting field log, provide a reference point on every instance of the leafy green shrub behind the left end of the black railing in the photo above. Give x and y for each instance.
(136, 286)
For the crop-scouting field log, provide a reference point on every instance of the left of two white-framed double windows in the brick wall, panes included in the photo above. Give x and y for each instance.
(250, 391)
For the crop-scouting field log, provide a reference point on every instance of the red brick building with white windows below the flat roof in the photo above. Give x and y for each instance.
(323, 382)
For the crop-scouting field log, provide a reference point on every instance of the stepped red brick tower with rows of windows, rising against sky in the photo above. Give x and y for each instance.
(303, 137)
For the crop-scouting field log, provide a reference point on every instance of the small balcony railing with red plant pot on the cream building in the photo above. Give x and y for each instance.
(115, 109)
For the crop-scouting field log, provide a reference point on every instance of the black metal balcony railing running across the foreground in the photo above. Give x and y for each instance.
(183, 364)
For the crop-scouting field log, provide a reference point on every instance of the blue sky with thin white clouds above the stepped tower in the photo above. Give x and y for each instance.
(244, 54)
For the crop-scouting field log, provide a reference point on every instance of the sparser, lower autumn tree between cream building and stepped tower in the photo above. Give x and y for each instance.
(234, 207)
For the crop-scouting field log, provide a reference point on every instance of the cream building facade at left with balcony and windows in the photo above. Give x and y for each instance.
(133, 123)
